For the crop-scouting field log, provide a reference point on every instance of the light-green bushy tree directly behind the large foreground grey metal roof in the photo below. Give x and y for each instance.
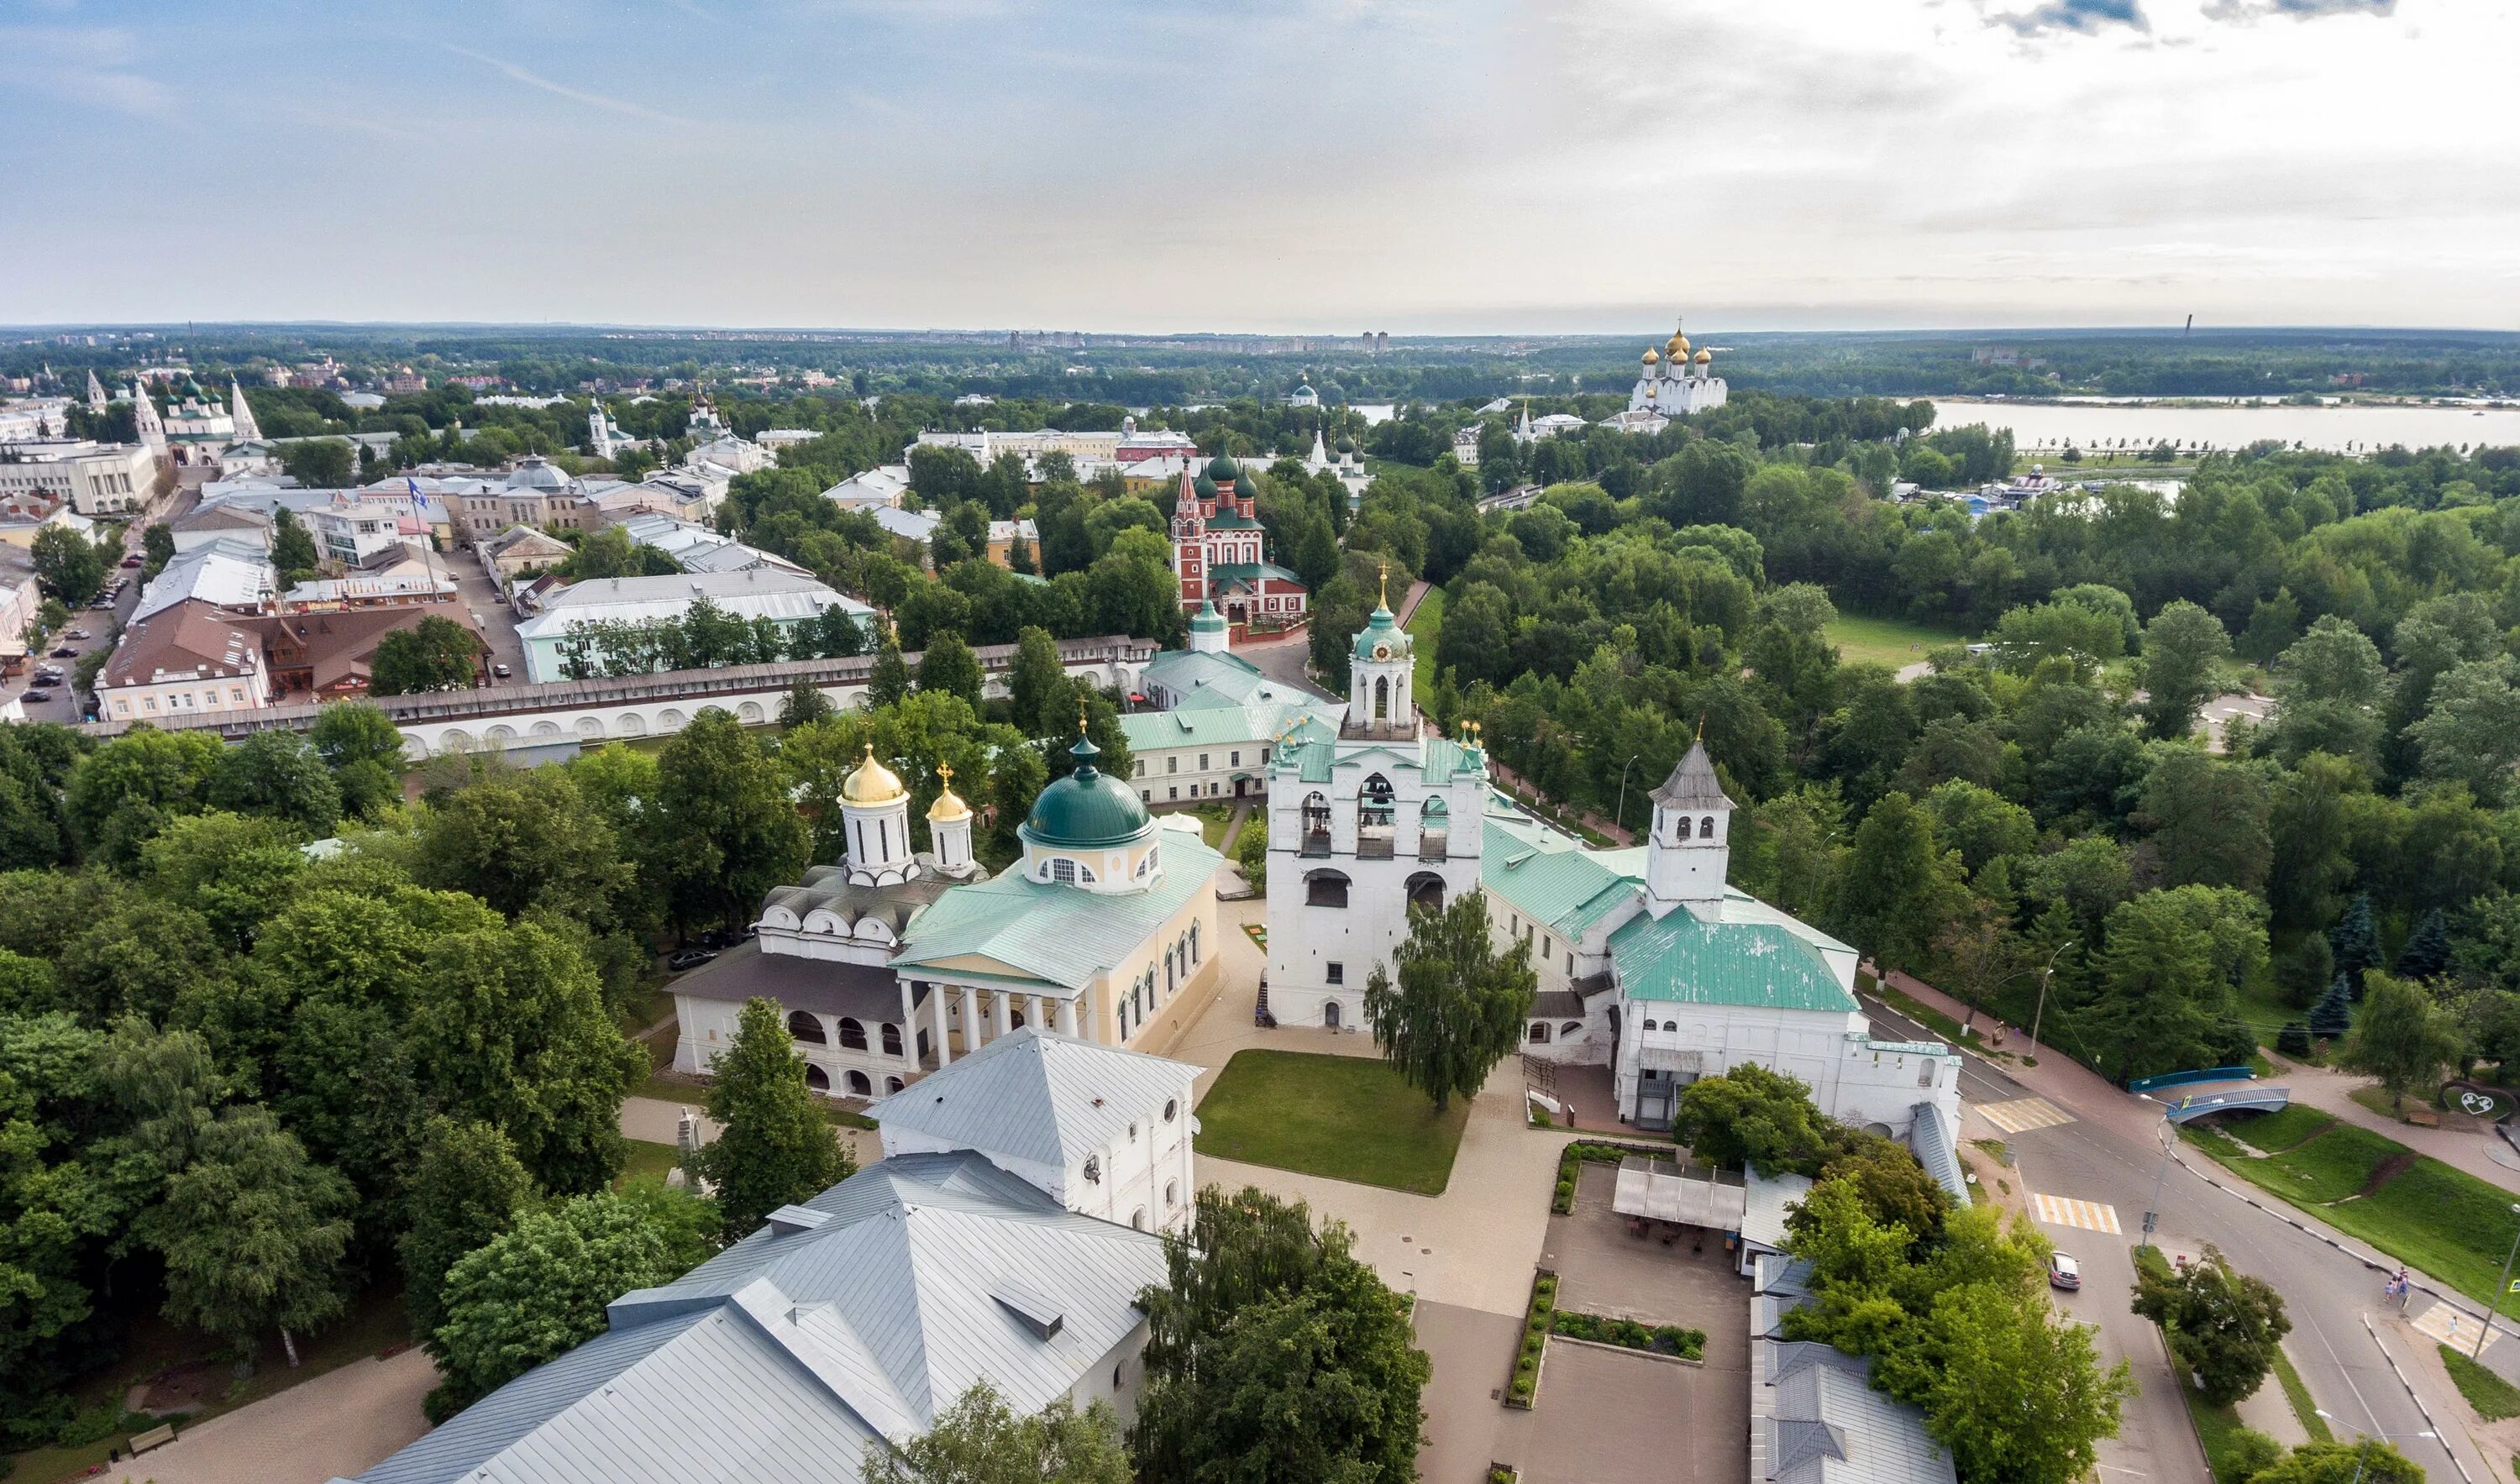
(541, 1289)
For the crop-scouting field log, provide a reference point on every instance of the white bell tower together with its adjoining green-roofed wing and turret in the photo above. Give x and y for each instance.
(1649, 961)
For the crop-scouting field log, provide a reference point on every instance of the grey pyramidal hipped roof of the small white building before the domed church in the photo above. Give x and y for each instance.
(1039, 1097)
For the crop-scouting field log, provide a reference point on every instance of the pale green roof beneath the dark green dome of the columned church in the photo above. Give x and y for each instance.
(1060, 936)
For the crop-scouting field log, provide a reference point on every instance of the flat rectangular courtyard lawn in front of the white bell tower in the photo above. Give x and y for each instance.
(1347, 1117)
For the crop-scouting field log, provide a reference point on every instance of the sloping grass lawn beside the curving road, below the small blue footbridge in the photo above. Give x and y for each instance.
(2443, 1221)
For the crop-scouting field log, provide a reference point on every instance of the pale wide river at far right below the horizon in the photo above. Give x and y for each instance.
(2340, 430)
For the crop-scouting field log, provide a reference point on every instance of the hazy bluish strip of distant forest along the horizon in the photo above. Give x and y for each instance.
(2025, 364)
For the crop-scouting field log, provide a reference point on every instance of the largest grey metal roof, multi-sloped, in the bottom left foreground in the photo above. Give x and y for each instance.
(798, 1349)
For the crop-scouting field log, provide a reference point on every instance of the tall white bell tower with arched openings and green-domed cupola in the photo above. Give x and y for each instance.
(1362, 828)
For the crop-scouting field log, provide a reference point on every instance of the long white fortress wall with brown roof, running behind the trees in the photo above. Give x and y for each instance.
(634, 707)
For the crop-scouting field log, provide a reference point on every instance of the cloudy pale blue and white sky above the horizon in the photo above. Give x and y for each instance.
(1264, 165)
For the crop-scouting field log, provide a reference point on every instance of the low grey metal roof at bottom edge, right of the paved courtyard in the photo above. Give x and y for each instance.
(1831, 1427)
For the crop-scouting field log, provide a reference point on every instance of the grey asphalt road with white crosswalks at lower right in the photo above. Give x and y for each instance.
(2325, 1291)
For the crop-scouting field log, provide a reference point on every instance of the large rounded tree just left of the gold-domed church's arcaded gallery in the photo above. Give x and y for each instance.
(510, 1027)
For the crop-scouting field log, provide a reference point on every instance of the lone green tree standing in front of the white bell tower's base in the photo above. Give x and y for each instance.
(1450, 1007)
